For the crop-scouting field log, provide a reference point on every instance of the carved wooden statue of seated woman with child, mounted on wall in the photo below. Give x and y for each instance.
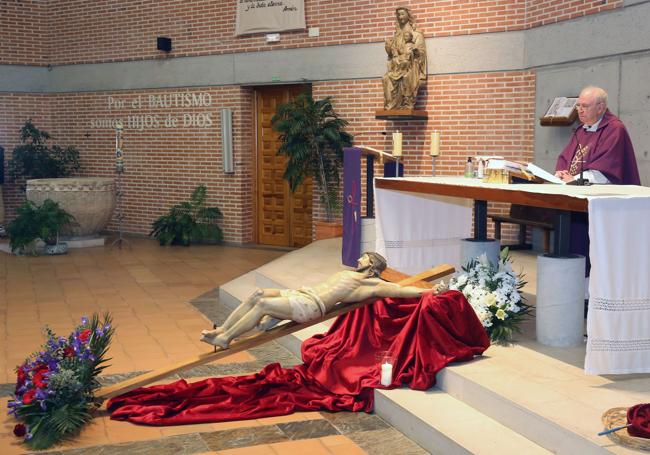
(407, 63)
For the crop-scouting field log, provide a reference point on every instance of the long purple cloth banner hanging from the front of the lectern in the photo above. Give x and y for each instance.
(351, 206)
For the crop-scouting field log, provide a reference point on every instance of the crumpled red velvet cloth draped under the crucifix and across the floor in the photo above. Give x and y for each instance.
(340, 368)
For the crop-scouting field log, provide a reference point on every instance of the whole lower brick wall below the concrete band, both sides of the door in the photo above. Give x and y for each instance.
(476, 114)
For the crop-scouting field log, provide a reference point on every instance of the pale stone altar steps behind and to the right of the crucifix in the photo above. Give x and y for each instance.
(524, 398)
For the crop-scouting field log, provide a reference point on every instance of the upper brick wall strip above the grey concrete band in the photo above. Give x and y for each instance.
(77, 31)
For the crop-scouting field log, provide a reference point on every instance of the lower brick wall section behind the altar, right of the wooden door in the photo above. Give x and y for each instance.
(477, 114)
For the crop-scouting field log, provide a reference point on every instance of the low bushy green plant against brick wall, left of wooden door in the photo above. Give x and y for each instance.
(189, 222)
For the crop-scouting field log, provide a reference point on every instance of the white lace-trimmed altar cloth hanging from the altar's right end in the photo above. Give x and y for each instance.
(618, 323)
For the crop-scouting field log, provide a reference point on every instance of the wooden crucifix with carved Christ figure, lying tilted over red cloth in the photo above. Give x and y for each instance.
(366, 283)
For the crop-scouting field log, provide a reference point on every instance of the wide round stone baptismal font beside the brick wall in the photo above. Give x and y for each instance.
(90, 200)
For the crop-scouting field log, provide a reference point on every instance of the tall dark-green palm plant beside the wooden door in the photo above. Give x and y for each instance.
(312, 138)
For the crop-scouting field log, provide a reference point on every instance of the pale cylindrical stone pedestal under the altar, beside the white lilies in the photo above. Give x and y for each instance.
(560, 300)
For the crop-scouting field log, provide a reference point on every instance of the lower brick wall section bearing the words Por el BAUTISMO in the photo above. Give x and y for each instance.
(163, 164)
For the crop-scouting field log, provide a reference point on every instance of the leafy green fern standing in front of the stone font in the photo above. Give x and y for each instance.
(35, 222)
